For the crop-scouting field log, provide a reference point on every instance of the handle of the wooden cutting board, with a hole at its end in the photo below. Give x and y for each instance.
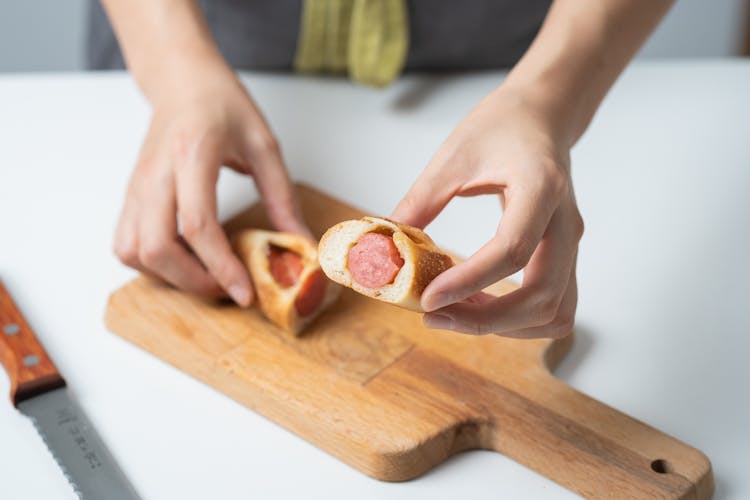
(565, 435)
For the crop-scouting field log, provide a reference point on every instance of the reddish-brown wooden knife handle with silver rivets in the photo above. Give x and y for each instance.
(30, 369)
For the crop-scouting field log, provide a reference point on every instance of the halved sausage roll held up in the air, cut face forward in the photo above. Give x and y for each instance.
(382, 259)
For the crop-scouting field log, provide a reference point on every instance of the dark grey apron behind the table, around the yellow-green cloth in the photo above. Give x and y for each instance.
(443, 34)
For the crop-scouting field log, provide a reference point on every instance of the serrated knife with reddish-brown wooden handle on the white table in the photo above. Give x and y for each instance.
(38, 391)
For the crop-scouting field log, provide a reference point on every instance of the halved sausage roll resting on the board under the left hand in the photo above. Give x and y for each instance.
(290, 286)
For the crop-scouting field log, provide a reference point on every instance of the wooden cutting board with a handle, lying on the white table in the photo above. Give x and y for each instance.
(370, 385)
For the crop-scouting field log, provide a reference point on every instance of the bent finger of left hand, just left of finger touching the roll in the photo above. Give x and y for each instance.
(160, 251)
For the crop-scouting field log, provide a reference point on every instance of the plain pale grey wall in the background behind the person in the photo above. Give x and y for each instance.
(49, 35)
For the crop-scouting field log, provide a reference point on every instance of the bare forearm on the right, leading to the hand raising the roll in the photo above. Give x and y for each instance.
(581, 49)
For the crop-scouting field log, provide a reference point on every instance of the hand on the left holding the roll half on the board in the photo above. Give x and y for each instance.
(168, 226)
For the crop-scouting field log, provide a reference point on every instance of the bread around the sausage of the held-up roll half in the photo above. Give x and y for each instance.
(423, 260)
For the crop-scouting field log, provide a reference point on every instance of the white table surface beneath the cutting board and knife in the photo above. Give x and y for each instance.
(663, 181)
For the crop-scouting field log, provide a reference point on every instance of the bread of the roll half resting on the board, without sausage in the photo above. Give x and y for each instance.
(277, 303)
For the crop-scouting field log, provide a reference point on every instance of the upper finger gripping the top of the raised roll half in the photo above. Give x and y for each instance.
(427, 196)
